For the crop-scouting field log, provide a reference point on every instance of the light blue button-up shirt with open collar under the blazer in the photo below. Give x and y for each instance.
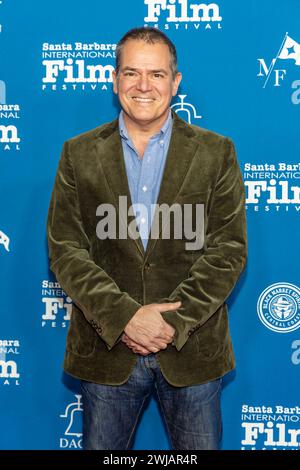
(145, 174)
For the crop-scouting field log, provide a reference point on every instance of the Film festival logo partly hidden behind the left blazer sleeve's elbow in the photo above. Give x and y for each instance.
(57, 305)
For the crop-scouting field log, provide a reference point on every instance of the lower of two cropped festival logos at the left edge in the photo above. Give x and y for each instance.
(9, 352)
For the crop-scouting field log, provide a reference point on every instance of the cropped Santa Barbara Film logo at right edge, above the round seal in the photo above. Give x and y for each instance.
(272, 187)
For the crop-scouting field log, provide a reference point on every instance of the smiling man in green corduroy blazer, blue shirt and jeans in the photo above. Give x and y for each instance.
(148, 311)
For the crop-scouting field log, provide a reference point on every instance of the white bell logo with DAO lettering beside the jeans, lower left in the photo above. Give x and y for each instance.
(72, 418)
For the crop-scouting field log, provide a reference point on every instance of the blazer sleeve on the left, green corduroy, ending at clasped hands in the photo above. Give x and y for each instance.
(104, 305)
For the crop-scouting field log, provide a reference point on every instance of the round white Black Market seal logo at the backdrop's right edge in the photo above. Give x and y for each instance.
(278, 307)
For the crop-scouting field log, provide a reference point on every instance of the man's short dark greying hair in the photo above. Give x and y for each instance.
(150, 36)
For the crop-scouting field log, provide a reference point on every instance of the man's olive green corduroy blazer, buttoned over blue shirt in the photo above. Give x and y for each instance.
(109, 280)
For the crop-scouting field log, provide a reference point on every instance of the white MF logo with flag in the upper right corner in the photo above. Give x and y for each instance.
(273, 74)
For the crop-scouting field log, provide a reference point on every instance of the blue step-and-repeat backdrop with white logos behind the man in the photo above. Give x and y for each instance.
(241, 78)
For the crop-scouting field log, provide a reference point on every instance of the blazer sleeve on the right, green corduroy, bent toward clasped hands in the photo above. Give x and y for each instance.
(214, 274)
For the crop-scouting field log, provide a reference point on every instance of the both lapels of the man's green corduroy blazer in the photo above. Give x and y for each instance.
(181, 151)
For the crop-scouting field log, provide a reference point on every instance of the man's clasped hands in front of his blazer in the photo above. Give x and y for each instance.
(147, 331)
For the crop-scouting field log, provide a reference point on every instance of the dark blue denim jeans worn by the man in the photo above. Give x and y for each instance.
(110, 412)
